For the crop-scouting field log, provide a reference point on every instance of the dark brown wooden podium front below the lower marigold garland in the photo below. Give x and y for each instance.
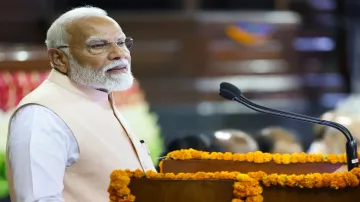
(222, 191)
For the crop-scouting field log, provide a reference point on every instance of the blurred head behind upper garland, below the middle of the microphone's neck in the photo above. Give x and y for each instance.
(278, 140)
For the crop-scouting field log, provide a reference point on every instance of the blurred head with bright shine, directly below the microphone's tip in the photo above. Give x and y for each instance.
(235, 141)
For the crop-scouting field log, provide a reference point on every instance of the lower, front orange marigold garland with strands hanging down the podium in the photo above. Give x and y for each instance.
(247, 187)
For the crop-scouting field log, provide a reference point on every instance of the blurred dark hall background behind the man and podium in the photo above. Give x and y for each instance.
(295, 55)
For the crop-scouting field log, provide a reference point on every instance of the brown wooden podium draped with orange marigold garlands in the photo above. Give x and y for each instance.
(205, 180)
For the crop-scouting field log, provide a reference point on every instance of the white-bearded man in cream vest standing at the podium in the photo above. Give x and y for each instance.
(66, 137)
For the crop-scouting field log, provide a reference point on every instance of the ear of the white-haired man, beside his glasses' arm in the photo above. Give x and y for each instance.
(58, 60)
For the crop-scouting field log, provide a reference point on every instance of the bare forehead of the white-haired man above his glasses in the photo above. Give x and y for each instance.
(94, 27)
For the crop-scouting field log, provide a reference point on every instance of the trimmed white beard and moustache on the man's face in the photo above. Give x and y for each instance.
(100, 79)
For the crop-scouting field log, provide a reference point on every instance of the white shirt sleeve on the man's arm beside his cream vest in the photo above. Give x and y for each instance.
(40, 147)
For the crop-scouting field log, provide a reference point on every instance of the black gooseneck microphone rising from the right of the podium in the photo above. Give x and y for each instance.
(231, 92)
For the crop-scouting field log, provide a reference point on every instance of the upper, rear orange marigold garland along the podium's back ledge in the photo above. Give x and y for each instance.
(257, 157)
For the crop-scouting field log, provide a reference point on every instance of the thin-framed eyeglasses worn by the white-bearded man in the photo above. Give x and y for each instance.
(101, 46)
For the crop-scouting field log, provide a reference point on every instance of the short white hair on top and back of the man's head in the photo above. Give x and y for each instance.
(57, 34)
